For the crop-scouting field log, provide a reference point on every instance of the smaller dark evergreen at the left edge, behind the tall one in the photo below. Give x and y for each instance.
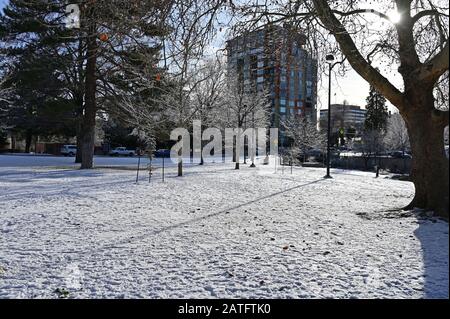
(38, 105)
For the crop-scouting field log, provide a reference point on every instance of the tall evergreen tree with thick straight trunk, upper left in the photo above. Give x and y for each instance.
(100, 50)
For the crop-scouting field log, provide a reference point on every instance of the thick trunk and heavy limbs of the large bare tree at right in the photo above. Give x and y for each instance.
(430, 170)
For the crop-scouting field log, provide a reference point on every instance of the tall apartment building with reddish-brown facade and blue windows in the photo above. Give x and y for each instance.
(274, 58)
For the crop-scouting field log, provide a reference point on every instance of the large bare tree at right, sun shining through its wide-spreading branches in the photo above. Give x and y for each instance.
(376, 38)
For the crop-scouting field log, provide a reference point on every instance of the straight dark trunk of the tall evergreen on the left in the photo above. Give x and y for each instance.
(90, 110)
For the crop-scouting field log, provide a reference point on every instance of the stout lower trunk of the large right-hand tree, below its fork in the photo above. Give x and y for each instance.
(430, 166)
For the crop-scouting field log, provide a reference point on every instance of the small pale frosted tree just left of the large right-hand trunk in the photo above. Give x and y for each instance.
(396, 137)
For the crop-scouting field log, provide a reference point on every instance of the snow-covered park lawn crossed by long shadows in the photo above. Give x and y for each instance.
(216, 232)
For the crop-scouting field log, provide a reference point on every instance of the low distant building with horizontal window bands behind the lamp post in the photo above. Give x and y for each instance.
(351, 118)
